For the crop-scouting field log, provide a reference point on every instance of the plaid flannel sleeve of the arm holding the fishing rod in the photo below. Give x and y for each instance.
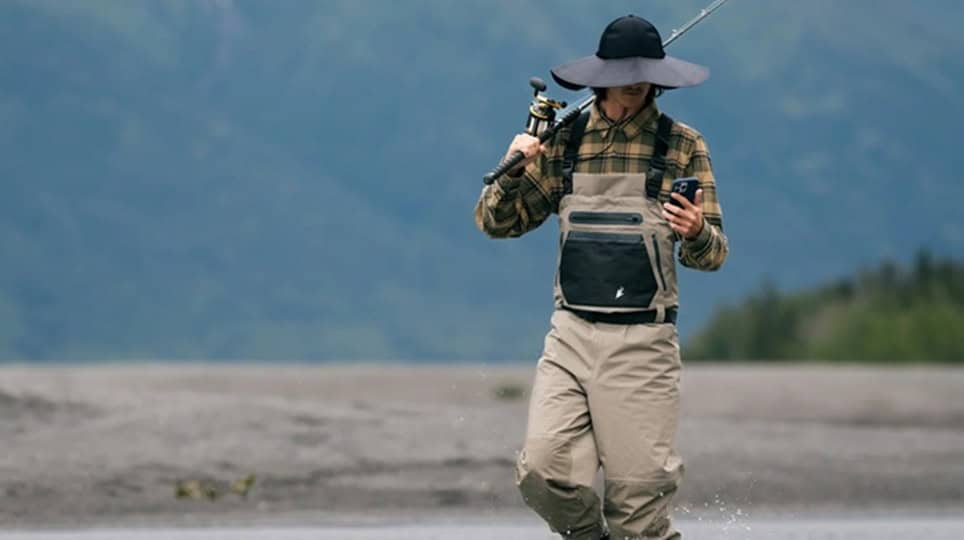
(513, 206)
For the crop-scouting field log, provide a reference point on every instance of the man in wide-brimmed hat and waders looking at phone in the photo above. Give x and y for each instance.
(606, 389)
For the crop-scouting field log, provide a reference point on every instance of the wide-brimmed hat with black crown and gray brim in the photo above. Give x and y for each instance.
(630, 51)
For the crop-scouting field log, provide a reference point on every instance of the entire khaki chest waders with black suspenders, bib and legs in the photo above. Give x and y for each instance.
(606, 390)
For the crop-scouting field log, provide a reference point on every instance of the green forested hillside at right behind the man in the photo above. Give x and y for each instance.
(886, 314)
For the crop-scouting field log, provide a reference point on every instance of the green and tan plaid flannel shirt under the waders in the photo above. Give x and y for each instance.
(513, 206)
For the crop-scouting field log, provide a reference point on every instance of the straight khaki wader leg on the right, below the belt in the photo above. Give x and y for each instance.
(634, 401)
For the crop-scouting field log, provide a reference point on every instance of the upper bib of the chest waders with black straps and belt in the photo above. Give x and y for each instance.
(616, 250)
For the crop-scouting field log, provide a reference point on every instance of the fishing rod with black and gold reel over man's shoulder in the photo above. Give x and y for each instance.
(541, 122)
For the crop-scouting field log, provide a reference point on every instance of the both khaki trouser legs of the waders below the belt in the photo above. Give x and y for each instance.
(604, 394)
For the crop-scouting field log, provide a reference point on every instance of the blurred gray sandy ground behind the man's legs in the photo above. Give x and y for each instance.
(337, 444)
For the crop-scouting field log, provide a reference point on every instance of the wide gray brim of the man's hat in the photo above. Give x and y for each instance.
(592, 71)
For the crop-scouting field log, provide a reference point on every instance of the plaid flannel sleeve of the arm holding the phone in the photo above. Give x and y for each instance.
(709, 249)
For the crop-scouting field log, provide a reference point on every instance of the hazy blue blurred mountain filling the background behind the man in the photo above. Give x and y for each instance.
(295, 180)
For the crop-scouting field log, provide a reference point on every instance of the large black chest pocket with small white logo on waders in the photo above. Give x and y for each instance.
(606, 270)
